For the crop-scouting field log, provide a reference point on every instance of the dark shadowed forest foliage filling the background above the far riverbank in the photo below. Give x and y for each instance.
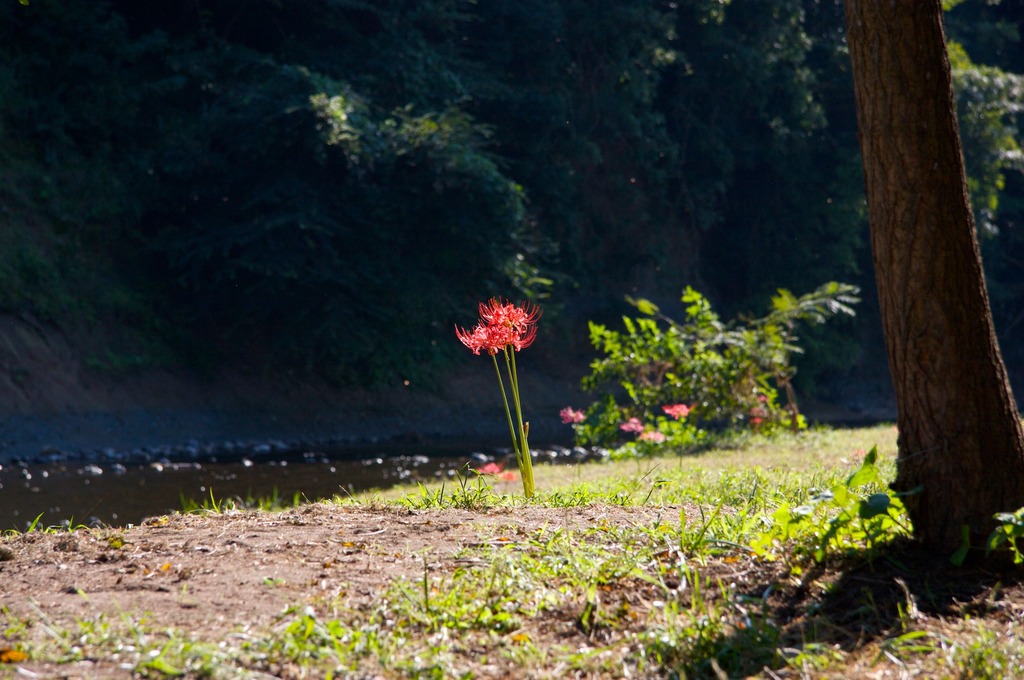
(328, 186)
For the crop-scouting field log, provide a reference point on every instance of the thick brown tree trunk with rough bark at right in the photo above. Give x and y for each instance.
(960, 436)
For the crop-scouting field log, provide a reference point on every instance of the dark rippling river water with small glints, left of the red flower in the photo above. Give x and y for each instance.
(120, 494)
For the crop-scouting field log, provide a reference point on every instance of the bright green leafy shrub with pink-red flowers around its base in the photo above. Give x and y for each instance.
(728, 375)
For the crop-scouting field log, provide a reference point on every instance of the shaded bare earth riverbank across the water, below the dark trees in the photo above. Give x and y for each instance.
(55, 407)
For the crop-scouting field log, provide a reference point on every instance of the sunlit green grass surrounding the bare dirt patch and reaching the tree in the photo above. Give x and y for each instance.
(710, 587)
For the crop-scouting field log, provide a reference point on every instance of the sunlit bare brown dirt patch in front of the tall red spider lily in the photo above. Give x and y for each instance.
(210, 575)
